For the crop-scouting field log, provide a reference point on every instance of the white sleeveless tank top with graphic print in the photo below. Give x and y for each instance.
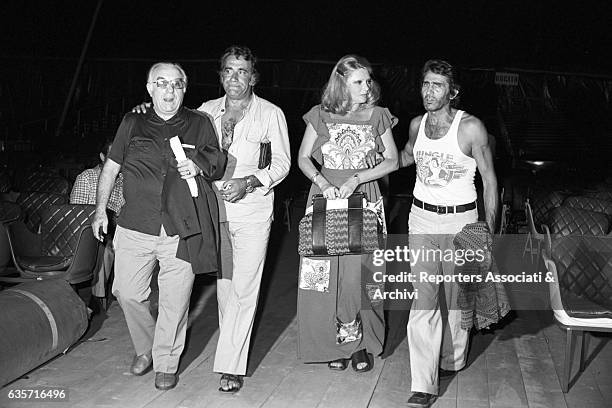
(445, 175)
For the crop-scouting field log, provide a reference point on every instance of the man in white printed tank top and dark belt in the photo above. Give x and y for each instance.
(447, 145)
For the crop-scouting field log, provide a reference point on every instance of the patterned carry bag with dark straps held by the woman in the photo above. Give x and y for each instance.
(350, 230)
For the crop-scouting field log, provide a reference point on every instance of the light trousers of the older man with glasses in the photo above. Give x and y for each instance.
(136, 255)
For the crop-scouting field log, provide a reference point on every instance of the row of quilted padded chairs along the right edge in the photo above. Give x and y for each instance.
(575, 242)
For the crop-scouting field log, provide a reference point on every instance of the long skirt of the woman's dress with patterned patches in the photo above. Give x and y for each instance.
(336, 316)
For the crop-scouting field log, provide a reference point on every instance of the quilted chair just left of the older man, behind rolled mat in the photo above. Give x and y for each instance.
(65, 247)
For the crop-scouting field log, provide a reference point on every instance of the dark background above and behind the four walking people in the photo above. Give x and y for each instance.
(563, 114)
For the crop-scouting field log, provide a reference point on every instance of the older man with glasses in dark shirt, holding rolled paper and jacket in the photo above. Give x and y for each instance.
(170, 216)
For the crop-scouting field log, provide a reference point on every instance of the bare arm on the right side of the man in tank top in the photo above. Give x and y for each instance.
(481, 152)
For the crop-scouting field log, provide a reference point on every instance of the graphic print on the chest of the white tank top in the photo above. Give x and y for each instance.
(435, 169)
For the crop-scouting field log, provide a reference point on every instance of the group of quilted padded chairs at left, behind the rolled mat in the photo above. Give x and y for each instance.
(50, 238)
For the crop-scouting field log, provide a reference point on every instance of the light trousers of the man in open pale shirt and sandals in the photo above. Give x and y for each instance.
(243, 254)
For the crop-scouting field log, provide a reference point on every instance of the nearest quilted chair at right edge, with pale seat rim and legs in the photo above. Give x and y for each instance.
(581, 291)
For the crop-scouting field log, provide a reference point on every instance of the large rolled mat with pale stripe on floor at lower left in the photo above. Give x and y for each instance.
(38, 321)
